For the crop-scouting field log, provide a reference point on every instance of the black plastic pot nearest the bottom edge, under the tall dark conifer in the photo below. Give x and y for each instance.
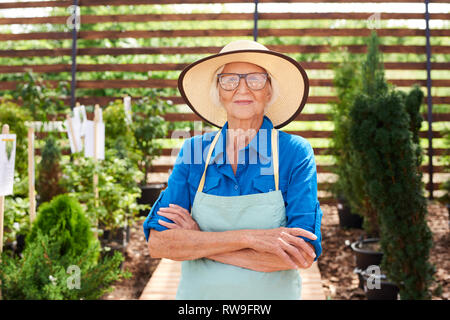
(386, 290)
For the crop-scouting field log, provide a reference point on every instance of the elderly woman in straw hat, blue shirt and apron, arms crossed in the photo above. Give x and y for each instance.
(240, 209)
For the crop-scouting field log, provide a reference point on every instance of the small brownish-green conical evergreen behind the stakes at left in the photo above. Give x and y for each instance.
(49, 171)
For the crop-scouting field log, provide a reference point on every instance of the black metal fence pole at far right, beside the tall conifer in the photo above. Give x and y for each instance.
(429, 102)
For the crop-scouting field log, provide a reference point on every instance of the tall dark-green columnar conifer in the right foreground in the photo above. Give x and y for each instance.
(381, 132)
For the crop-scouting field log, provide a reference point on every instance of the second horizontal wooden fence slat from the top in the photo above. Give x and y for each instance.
(91, 19)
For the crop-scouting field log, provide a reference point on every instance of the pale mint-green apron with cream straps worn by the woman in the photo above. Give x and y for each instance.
(205, 279)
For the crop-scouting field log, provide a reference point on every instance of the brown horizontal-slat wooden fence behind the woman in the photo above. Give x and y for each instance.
(222, 36)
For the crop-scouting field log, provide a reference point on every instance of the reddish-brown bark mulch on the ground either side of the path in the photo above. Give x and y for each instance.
(336, 263)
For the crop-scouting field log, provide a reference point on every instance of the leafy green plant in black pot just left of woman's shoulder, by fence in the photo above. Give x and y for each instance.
(148, 126)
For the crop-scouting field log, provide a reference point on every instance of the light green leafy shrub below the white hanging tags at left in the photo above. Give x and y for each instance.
(117, 187)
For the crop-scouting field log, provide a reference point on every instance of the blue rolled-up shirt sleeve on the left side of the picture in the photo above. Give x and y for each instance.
(177, 192)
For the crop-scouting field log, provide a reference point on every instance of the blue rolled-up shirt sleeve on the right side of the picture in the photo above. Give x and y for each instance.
(303, 208)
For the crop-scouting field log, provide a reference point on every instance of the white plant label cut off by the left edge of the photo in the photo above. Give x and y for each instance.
(7, 158)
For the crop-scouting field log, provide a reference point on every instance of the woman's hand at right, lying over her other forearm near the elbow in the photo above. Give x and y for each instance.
(285, 243)
